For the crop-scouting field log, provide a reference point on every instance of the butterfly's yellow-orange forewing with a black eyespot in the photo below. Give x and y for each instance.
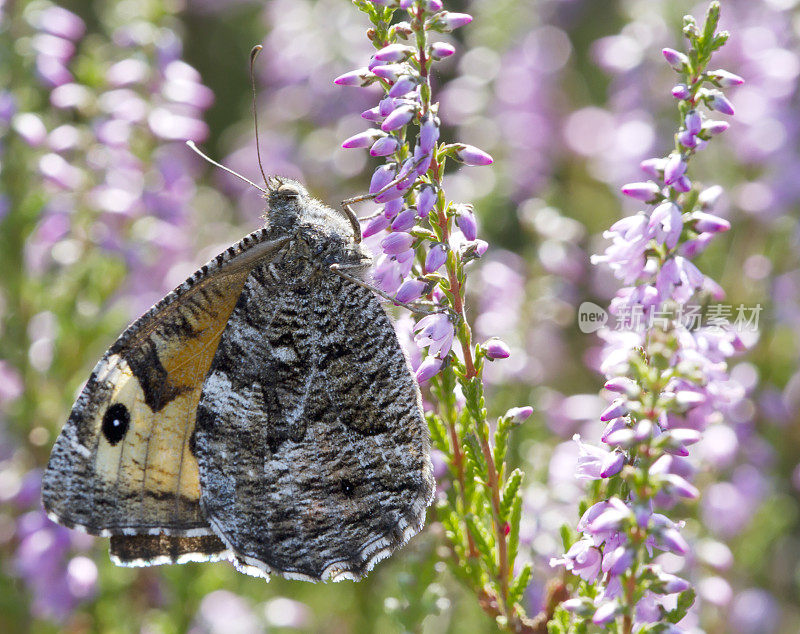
(123, 463)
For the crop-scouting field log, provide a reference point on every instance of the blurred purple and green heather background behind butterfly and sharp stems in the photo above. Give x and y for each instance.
(103, 210)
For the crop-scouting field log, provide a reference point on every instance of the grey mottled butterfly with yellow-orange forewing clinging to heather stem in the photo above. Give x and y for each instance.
(263, 412)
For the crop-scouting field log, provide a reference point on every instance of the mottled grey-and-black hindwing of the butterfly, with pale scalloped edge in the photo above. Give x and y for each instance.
(311, 442)
